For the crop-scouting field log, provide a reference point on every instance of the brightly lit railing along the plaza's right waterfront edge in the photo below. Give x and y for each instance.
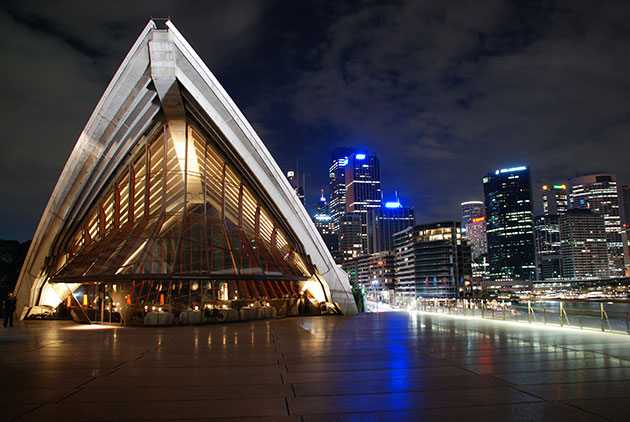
(532, 312)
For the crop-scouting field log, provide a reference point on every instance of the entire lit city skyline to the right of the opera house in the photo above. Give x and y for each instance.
(582, 233)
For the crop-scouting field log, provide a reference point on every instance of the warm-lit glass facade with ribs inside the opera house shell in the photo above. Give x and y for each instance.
(179, 227)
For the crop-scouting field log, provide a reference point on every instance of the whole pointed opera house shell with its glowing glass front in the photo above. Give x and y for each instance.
(171, 201)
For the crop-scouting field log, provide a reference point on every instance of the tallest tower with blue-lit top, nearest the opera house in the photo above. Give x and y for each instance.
(363, 188)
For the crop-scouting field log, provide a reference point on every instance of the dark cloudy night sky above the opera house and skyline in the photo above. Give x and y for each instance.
(444, 92)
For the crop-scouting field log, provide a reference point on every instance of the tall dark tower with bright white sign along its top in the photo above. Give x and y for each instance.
(510, 224)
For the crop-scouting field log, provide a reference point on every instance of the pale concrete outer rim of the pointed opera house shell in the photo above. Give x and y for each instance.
(103, 143)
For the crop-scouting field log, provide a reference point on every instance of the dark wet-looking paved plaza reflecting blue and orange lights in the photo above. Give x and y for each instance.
(387, 366)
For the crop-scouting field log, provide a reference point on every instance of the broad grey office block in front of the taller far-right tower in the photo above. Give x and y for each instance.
(583, 245)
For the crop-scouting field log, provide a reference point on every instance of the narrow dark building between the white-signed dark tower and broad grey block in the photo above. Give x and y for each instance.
(548, 254)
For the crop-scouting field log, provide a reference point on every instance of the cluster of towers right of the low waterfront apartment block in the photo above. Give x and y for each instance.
(579, 236)
